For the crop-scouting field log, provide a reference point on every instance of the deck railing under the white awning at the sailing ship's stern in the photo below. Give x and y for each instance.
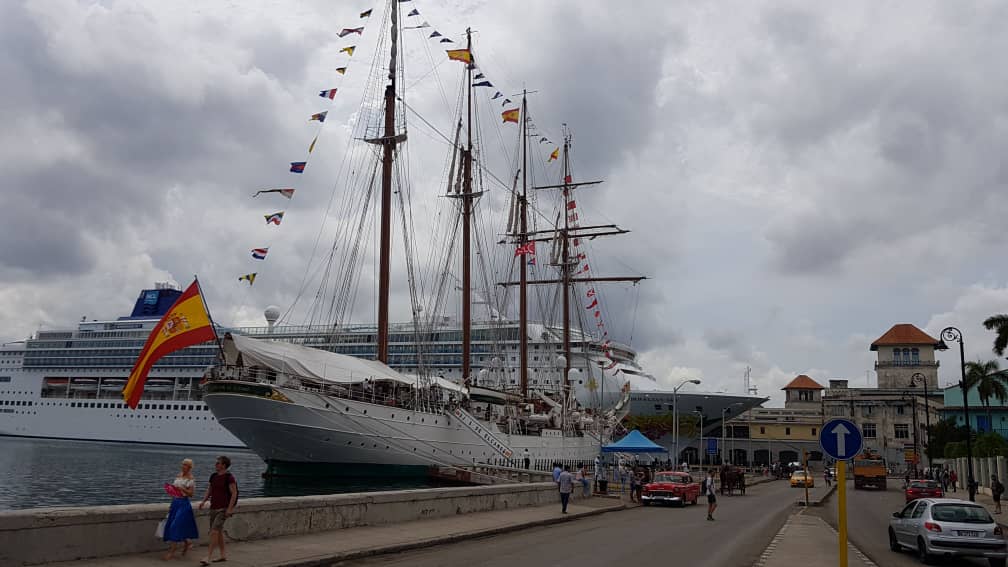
(381, 393)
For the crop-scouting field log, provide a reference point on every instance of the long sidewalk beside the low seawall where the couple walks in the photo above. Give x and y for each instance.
(329, 547)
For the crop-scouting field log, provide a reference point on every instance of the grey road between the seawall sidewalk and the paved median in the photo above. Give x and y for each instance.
(641, 537)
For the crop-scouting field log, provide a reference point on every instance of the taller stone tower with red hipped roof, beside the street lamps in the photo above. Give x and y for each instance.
(904, 352)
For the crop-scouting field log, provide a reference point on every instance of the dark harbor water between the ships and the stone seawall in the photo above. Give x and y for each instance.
(43, 474)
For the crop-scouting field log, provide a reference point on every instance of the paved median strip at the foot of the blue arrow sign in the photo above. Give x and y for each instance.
(808, 541)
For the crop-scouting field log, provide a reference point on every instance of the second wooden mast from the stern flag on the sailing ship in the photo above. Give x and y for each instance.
(467, 212)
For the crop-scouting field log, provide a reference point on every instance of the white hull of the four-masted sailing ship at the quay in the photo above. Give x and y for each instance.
(313, 433)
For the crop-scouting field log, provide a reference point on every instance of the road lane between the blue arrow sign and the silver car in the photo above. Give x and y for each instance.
(868, 514)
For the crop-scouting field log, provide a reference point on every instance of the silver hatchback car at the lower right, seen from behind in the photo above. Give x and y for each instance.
(948, 528)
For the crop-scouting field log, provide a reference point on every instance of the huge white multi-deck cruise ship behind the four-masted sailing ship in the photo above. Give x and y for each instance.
(67, 384)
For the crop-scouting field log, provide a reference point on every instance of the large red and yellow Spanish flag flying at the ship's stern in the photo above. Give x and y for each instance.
(186, 324)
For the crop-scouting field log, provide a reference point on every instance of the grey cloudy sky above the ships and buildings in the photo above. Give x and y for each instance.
(798, 179)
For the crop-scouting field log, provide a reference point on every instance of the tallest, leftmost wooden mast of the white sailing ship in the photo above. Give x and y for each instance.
(389, 142)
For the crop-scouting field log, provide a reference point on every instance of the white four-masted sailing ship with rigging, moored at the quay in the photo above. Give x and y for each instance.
(311, 411)
